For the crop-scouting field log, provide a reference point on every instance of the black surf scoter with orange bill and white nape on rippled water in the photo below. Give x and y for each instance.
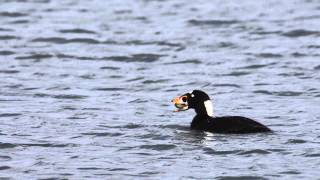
(204, 120)
